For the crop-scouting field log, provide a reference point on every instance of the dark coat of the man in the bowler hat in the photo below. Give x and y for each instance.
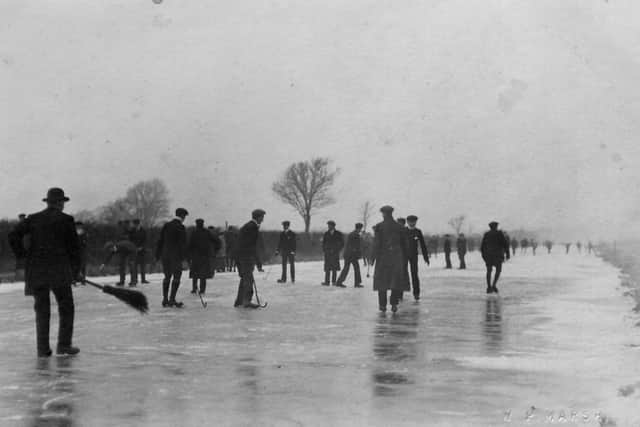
(49, 242)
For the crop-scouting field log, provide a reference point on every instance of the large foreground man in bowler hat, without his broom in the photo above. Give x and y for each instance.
(48, 241)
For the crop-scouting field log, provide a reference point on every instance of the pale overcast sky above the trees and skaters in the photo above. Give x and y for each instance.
(526, 112)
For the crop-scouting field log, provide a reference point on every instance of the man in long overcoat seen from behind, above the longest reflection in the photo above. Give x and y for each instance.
(390, 257)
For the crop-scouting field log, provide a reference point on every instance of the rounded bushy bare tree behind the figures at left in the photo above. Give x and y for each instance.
(148, 201)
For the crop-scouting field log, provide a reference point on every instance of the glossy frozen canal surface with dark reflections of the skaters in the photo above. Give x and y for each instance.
(558, 346)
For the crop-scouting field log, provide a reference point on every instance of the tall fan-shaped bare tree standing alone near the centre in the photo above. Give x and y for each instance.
(306, 186)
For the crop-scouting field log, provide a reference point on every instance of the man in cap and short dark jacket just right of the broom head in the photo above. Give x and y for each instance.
(172, 251)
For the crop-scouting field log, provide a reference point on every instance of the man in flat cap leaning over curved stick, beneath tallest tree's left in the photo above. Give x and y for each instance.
(246, 258)
